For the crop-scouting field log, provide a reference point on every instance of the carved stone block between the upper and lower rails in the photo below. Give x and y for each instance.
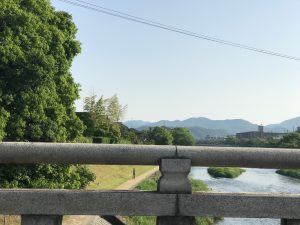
(174, 178)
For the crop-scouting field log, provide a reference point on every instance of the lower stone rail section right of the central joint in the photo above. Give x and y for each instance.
(247, 205)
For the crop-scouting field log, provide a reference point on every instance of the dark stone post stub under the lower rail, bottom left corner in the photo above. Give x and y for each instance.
(41, 220)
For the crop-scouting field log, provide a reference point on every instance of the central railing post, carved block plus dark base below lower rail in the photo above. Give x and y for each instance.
(174, 180)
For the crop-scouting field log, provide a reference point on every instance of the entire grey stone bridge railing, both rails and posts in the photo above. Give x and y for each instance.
(173, 203)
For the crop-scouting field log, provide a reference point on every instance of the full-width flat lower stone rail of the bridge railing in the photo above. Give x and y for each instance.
(127, 203)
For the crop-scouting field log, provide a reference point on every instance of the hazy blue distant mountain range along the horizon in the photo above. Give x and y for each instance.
(201, 127)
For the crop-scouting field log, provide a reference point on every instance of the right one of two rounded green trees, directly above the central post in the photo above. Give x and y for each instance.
(182, 136)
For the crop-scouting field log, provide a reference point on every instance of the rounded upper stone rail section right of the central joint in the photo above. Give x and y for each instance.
(241, 157)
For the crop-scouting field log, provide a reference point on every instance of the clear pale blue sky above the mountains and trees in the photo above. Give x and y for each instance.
(164, 75)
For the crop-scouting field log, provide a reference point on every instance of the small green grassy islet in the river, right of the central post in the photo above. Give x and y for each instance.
(227, 172)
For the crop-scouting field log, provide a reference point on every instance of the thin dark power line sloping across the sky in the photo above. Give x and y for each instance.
(140, 20)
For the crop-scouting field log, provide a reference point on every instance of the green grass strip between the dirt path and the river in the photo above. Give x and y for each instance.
(151, 184)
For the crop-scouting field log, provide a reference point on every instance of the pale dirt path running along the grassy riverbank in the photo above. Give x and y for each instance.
(96, 220)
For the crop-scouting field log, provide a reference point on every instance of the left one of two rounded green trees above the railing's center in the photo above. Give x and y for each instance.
(161, 136)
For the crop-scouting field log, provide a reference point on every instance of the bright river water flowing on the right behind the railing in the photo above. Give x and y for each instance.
(253, 180)
